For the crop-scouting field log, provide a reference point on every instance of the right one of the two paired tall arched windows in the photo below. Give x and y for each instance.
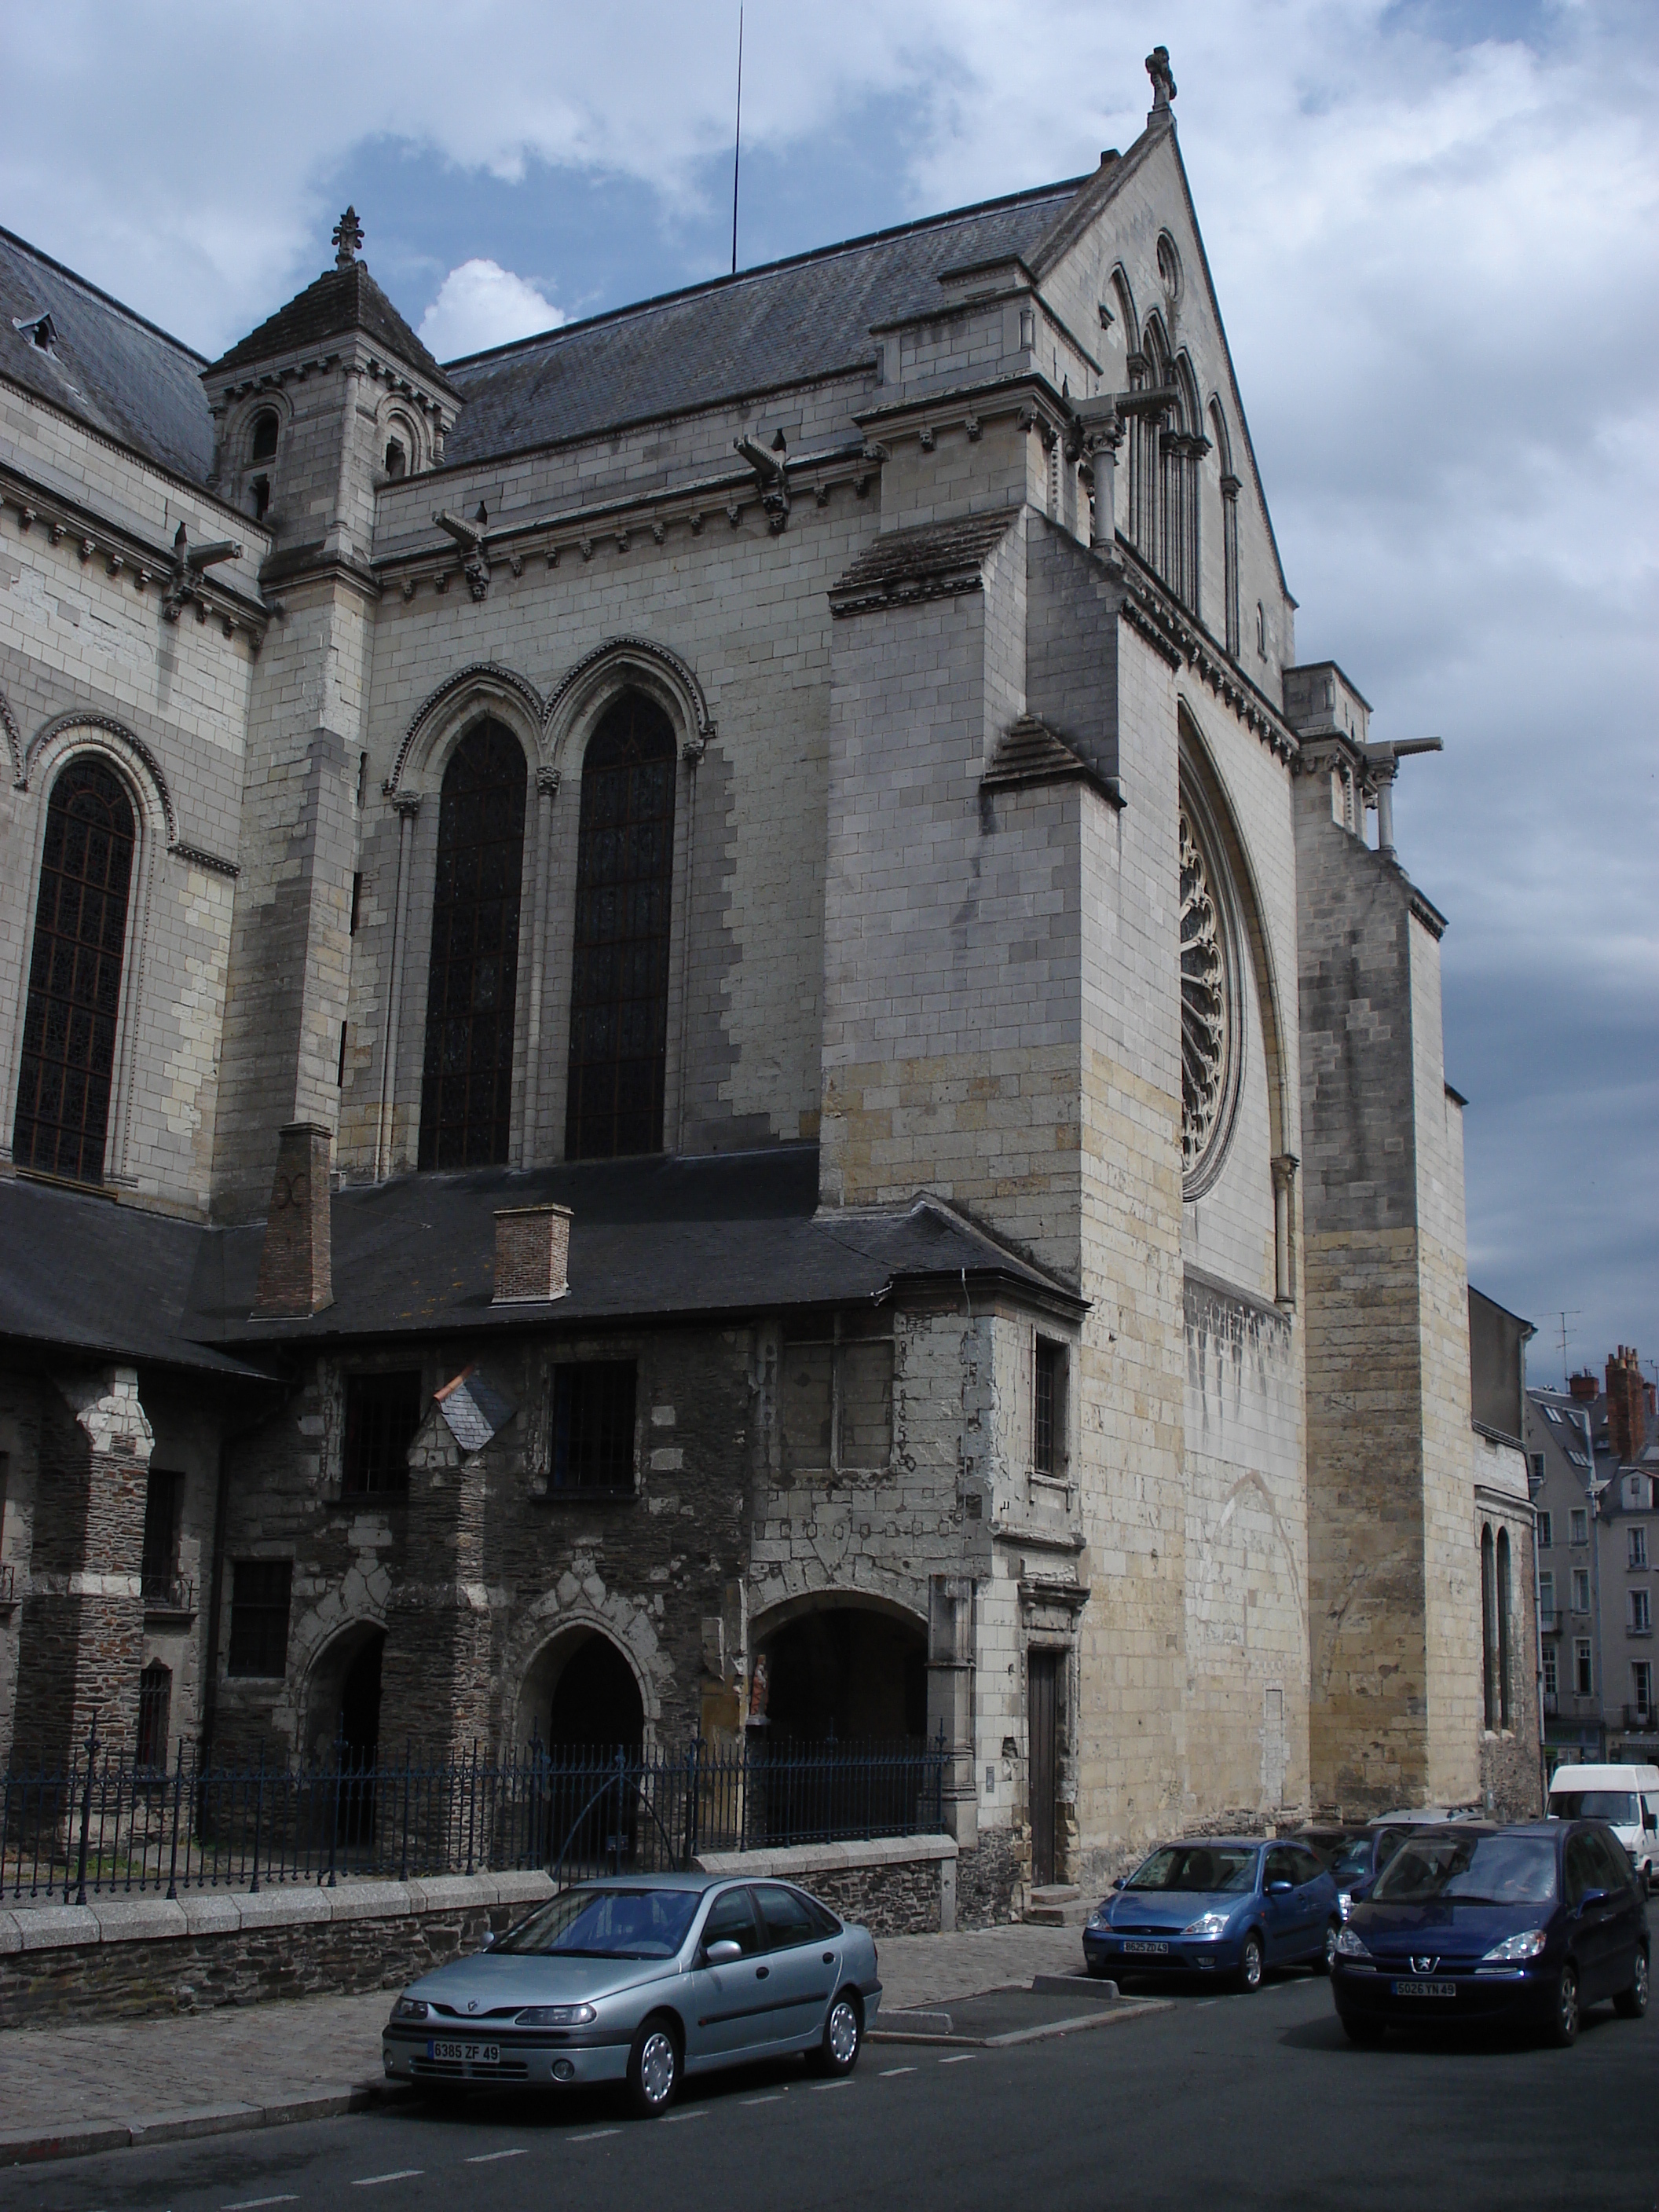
(620, 988)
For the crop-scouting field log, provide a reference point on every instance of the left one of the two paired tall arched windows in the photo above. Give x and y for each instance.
(468, 1078)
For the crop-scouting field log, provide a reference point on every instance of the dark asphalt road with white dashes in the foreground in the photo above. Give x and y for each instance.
(1227, 2103)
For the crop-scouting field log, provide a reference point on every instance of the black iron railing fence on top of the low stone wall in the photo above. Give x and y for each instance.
(109, 1826)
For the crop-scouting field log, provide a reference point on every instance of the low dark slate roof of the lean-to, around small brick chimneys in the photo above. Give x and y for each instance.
(651, 1242)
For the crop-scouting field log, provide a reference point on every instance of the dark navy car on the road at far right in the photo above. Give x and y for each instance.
(1496, 1926)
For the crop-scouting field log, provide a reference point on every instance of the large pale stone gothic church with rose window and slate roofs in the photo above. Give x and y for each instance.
(698, 1021)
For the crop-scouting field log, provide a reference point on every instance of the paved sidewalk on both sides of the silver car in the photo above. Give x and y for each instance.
(76, 2089)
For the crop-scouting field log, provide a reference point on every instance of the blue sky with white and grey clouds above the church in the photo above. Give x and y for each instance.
(1434, 229)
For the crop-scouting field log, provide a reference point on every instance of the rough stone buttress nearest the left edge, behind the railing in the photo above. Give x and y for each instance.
(83, 1618)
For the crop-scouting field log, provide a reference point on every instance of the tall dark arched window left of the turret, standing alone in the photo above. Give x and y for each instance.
(76, 977)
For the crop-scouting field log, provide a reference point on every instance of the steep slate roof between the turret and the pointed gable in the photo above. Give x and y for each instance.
(751, 333)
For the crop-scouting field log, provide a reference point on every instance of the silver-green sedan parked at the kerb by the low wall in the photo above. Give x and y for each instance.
(645, 1981)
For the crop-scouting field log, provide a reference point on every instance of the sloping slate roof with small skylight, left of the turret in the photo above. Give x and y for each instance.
(107, 366)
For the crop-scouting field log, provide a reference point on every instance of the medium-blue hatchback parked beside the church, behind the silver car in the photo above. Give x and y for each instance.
(1227, 1908)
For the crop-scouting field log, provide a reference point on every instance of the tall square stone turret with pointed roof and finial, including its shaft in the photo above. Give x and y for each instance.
(315, 410)
